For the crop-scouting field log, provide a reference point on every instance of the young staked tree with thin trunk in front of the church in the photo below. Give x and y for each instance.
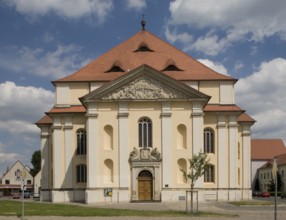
(198, 166)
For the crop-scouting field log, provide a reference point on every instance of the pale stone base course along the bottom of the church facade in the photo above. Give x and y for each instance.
(102, 195)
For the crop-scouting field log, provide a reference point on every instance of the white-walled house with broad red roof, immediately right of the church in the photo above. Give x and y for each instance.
(262, 151)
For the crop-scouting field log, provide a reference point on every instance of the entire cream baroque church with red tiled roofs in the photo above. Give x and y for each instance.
(125, 125)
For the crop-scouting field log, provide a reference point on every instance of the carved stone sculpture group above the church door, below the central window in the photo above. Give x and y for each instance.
(145, 154)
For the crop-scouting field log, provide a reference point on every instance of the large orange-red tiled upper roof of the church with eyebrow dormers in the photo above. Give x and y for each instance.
(144, 48)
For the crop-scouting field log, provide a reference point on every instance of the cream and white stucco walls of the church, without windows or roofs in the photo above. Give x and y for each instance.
(112, 133)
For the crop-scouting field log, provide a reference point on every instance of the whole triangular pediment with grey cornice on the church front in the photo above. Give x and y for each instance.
(144, 83)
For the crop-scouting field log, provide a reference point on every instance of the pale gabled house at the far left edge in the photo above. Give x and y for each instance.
(10, 182)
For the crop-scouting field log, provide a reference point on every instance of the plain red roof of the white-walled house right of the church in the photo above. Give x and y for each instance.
(266, 149)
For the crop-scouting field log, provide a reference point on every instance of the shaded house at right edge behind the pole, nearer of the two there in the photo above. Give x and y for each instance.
(265, 172)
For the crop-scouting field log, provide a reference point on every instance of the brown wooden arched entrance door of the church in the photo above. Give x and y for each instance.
(145, 186)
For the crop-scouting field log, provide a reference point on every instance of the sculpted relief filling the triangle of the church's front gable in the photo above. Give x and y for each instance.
(145, 88)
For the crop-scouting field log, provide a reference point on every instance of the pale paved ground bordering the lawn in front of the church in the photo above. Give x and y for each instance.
(243, 212)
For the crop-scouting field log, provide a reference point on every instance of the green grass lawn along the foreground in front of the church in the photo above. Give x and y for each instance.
(14, 208)
